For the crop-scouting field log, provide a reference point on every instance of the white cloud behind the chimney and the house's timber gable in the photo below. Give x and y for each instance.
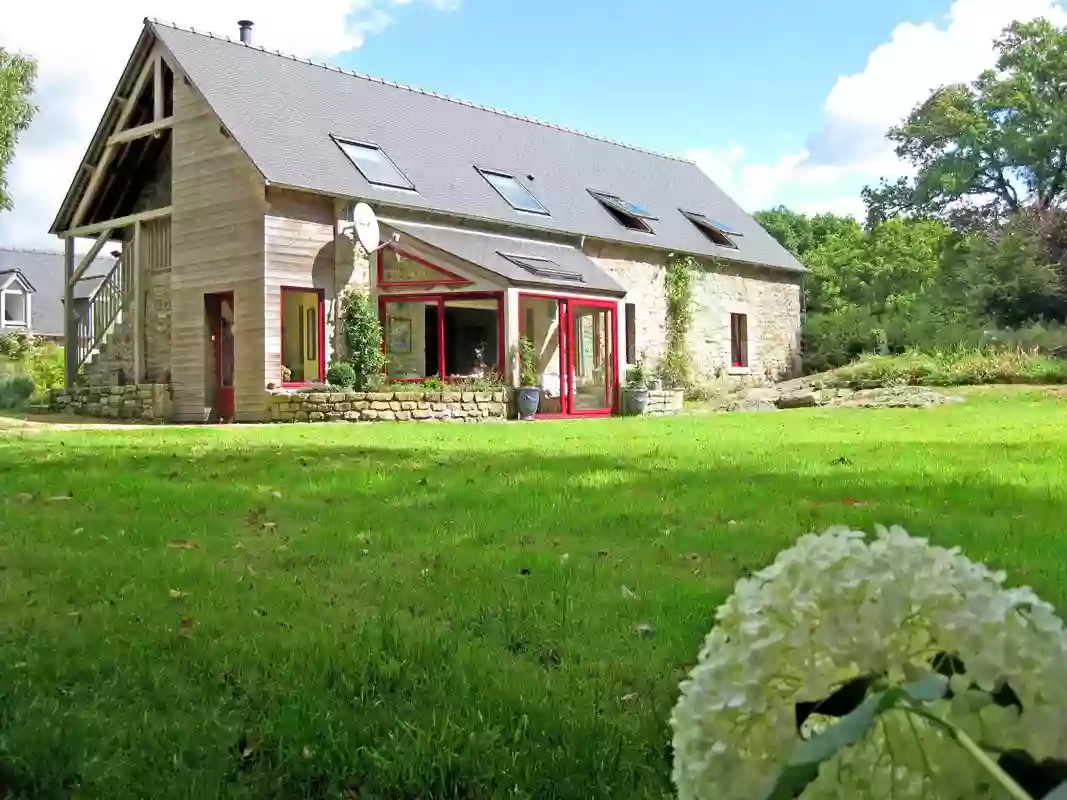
(82, 54)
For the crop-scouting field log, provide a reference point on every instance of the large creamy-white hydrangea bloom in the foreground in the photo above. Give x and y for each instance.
(836, 607)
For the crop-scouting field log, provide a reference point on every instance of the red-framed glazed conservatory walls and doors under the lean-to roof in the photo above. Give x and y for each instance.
(438, 324)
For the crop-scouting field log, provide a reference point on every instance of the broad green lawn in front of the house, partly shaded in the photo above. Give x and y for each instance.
(453, 612)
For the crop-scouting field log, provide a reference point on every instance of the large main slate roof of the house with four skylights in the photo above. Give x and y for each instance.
(283, 111)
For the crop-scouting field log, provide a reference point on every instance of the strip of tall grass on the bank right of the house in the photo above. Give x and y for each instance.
(963, 367)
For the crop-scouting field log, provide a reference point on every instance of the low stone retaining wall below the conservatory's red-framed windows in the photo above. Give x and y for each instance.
(392, 407)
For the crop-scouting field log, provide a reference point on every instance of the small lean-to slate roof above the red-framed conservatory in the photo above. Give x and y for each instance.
(488, 251)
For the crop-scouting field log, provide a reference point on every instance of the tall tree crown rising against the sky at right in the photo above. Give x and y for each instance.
(984, 152)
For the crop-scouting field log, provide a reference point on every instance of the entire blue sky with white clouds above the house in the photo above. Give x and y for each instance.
(781, 102)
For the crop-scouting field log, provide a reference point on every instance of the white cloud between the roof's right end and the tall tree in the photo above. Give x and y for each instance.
(851, 150)
